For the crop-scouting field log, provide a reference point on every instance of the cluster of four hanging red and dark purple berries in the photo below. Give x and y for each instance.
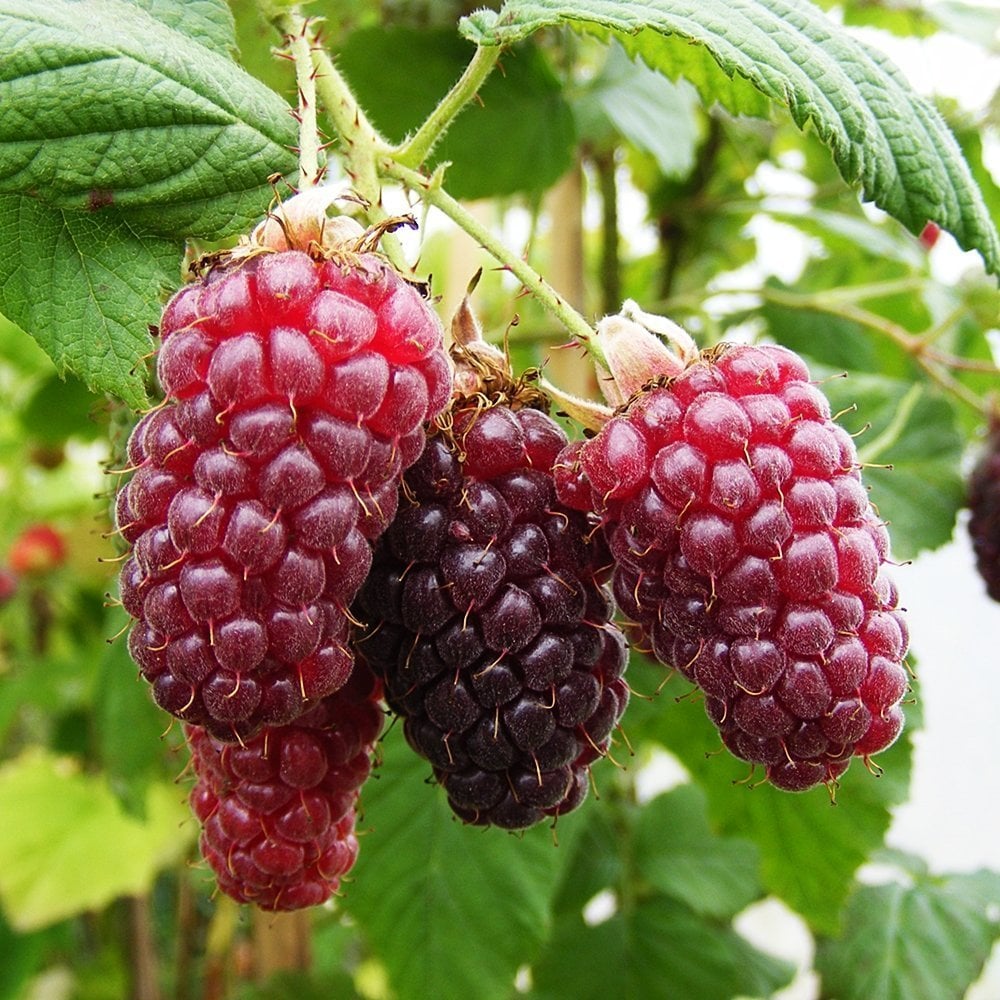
(318, 463)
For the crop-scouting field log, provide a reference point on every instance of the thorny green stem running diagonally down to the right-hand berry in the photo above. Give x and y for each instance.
(431, 192)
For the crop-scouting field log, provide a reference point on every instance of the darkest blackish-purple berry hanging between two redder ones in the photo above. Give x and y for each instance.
(488, 622)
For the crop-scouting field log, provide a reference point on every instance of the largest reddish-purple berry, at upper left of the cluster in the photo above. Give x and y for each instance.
(297, 385)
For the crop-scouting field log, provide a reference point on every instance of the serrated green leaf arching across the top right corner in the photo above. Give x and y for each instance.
(884, 136)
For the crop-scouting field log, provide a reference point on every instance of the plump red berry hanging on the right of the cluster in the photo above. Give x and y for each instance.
(749, 556)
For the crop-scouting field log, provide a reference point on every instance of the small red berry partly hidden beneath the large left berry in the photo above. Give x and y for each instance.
(278, 812)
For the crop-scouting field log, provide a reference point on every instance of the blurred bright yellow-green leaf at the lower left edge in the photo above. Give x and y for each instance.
(67, 847)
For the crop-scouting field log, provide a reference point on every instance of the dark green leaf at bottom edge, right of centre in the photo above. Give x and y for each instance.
(655, 947)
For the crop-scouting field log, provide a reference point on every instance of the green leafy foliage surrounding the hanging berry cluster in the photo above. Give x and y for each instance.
(133, 128)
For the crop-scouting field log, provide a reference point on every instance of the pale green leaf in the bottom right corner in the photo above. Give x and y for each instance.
(925, 941)
